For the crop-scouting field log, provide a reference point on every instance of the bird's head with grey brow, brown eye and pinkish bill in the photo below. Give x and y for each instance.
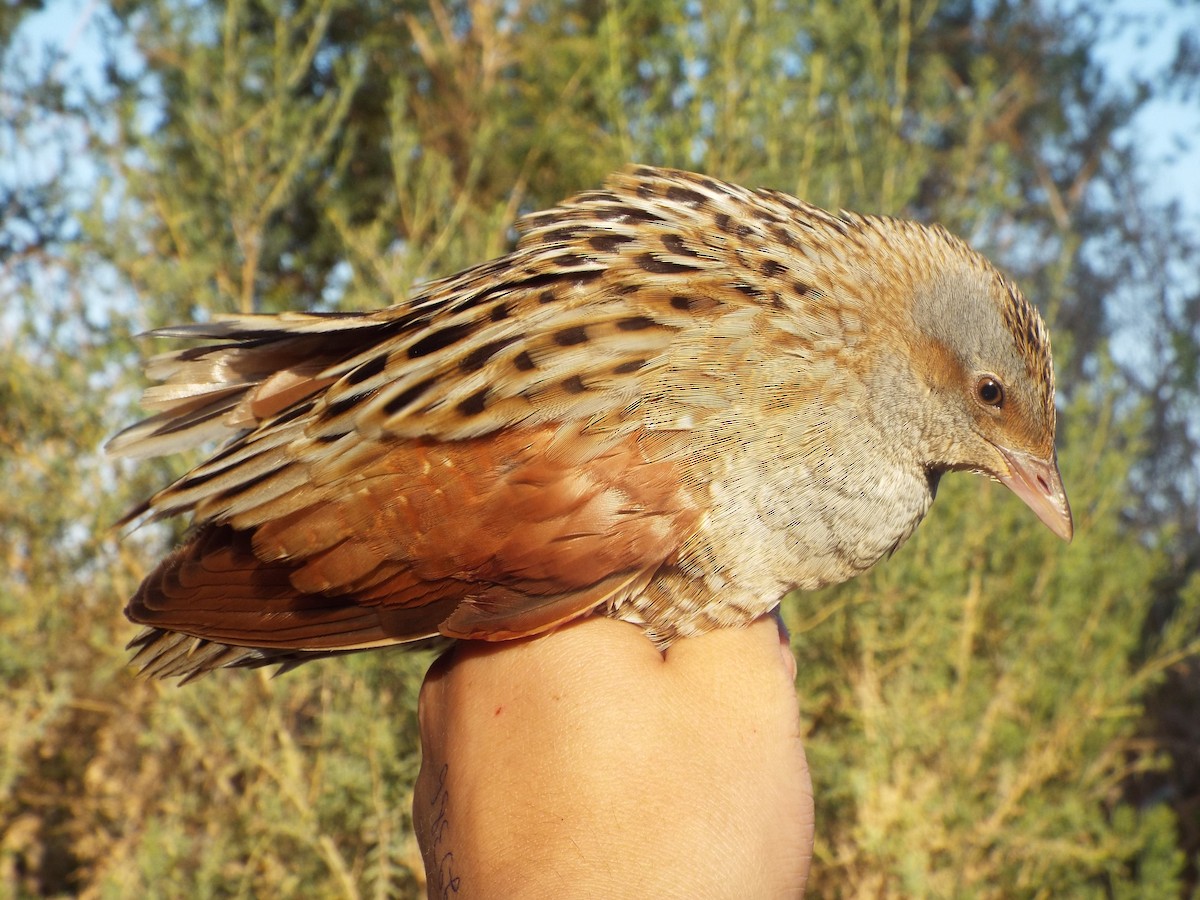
(986, 359)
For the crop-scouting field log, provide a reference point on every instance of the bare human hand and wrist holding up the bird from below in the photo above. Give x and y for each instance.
(587, 764)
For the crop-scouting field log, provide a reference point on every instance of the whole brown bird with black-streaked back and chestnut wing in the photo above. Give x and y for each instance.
(673, 403)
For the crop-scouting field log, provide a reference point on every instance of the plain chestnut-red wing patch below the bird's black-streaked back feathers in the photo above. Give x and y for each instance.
(490, 538)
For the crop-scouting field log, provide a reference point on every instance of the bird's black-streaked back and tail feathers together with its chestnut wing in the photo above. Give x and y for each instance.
(505, 452)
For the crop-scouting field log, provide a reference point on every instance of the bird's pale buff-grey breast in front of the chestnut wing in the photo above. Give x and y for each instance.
(784, 515)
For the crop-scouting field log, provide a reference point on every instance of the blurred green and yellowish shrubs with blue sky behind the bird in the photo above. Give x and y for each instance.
(989, 713)
